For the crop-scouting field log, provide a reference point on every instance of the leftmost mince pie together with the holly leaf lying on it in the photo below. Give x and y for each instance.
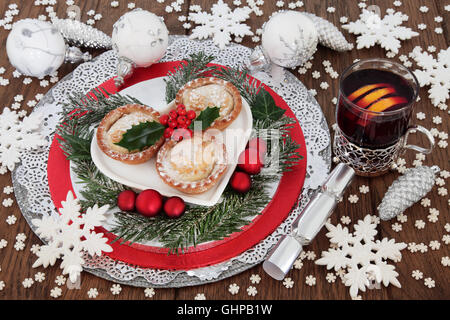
(131, 134)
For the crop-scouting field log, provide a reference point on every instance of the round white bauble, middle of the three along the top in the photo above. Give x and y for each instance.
(141, 37)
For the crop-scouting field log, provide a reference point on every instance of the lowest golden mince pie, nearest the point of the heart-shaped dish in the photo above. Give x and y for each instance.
(192, 165)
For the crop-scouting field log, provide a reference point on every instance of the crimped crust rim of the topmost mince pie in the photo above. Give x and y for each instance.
(223, 121)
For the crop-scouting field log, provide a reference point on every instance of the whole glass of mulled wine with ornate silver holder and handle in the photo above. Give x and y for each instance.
(376, 100)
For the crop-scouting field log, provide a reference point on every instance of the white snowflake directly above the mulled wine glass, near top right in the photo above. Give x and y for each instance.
(386, 32)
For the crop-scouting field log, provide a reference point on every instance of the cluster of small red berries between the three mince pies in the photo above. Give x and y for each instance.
(177, 123)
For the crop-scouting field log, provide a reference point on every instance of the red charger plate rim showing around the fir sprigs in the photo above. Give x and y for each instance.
(214, 252)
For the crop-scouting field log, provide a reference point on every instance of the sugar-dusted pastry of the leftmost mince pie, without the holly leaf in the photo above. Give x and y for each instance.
(116, 123)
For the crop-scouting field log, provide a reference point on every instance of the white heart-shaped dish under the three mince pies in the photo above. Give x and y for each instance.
(144, 176)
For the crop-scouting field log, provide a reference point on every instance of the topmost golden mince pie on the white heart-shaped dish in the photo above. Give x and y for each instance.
(202, 93)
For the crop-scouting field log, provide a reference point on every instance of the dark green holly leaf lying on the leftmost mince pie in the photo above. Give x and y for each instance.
(142, 135)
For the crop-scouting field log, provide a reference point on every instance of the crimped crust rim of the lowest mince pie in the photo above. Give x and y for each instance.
(194, 187)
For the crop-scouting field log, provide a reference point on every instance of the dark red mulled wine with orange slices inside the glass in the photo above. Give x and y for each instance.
(374, 107)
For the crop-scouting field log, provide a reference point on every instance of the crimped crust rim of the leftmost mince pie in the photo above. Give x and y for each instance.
(110, 119)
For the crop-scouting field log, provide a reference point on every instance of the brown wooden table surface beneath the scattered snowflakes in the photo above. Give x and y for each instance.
(16, 265)
